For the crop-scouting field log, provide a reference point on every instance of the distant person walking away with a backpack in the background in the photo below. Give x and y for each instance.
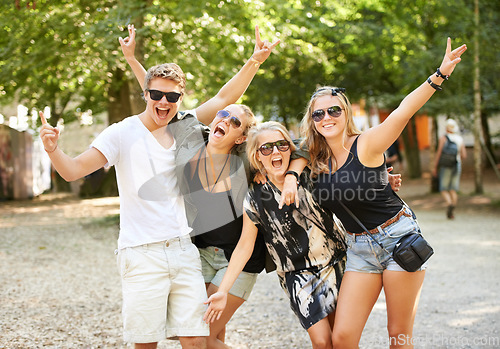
(448, 164)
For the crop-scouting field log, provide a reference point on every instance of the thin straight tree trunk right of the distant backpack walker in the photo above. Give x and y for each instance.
(477, 106)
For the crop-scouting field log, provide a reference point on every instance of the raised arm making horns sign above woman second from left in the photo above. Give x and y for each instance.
(236, 87)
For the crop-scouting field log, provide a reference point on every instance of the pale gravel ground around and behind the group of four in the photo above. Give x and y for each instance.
(59, 286)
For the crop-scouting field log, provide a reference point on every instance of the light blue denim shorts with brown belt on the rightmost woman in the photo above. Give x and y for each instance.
(366, 256)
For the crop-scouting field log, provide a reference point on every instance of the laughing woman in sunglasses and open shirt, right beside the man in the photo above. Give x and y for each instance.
(212, 176)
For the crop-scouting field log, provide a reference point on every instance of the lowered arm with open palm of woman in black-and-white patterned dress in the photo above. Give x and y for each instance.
(239, 258)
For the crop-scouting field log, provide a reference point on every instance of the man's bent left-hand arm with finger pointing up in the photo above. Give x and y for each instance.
(69, 168)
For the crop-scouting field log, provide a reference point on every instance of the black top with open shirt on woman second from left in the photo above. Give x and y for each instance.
(216, 223)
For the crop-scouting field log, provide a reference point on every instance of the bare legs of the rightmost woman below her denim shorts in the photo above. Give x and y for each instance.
(358, 294)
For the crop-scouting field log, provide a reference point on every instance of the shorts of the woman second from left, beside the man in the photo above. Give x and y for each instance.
(214, 265)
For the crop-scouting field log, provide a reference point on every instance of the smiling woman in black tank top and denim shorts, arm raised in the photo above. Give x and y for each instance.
(350, 167)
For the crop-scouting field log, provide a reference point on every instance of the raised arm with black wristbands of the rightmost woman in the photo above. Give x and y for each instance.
(376, 140)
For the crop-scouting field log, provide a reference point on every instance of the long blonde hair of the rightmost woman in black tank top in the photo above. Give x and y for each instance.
(319, 149)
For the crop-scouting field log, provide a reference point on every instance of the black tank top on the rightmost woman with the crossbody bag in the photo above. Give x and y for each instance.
(364, 190)
